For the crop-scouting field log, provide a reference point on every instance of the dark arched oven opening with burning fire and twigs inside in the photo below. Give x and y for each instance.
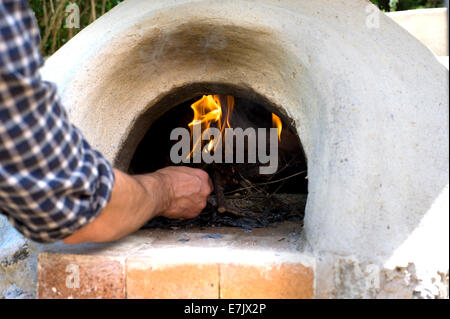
(249, 149)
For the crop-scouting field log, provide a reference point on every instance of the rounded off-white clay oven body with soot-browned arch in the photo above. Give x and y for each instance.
(369, 104)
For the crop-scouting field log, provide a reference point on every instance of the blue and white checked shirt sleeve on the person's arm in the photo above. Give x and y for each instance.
(52, 182)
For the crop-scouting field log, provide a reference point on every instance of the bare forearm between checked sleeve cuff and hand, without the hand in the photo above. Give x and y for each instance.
(130, 207)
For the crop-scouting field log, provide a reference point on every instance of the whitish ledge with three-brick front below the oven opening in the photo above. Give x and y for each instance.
(213, 263)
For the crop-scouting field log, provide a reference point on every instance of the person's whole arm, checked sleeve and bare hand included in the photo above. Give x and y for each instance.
(53, 184)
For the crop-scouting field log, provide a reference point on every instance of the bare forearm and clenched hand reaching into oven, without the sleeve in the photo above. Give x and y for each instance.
(174, 192)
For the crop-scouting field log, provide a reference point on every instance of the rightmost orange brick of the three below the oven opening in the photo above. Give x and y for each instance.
(282, 281)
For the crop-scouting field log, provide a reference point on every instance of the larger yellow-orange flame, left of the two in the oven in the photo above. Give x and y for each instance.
(208, 113)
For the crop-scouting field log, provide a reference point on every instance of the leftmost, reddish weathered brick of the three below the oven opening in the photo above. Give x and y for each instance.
(80, 276)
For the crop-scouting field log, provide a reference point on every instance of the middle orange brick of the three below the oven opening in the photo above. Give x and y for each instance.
(147, 280)
